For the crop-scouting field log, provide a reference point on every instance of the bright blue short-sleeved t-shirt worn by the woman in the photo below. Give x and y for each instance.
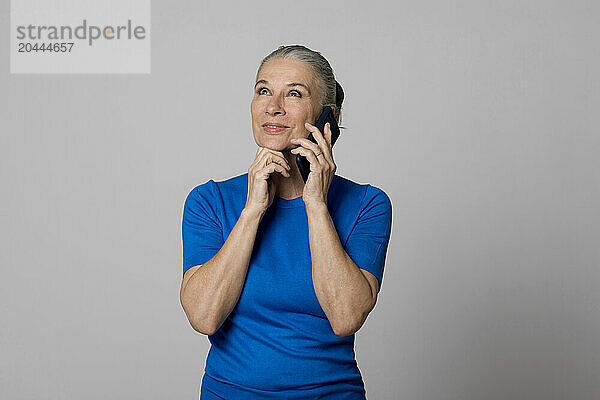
(277, 342)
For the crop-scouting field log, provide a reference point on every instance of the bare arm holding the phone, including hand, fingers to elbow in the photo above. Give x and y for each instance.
(346, 292)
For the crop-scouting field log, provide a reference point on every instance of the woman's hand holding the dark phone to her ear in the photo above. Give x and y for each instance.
(322, 166)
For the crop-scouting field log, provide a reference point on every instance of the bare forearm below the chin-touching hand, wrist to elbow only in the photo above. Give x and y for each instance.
(214, 289)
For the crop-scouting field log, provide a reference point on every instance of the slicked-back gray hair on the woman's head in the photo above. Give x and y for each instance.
(331, 93)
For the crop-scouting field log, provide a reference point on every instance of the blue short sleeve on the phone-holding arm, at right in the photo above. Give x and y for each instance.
(368, 241)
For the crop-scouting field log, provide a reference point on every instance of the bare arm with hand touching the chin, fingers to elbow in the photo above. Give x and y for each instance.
(209, 292)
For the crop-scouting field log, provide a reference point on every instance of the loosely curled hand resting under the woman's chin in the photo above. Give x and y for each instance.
(261, 189)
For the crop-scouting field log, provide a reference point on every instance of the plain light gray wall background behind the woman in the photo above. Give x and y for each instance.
(479, 119)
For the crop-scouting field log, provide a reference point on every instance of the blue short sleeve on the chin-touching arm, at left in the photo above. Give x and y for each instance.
(201, 229)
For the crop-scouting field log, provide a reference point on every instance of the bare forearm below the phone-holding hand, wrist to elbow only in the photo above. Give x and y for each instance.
(342, 290)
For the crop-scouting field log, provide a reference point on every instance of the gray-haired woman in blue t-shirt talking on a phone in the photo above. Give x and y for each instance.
(279, 273)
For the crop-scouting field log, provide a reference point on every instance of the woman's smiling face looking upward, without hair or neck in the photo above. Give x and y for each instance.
(285, 94)
